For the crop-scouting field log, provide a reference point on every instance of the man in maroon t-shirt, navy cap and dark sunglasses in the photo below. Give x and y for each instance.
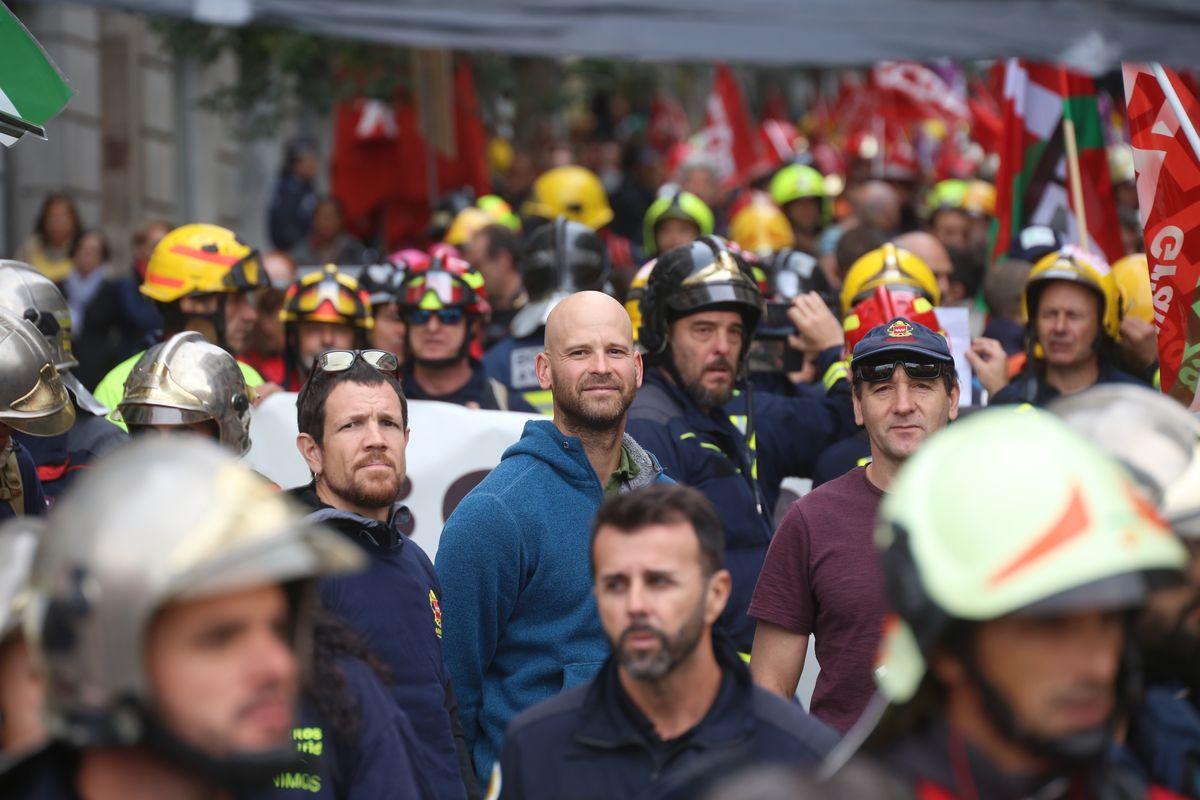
(823, 575)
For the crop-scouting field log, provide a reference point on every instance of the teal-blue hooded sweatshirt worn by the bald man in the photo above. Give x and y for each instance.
(519, 618)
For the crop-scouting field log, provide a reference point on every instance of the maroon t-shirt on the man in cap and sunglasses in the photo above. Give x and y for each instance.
(823, 578)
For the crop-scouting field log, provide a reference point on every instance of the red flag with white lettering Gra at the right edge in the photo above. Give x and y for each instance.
(1169, 196)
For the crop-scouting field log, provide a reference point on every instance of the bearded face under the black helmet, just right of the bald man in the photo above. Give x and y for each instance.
(705, 348)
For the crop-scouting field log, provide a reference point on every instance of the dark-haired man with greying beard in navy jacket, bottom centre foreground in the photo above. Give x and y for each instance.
(674, 703)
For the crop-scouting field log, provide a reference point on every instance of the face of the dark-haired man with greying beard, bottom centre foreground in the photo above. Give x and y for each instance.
(656, 598)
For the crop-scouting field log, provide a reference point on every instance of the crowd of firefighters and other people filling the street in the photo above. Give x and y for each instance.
(1004, 601)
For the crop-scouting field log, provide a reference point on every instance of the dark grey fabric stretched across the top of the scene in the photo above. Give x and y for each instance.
(1094, 35)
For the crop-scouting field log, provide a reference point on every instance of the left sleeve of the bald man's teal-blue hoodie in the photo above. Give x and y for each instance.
(479, 563)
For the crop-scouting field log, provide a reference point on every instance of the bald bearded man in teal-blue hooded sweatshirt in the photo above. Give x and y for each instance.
(518, 610)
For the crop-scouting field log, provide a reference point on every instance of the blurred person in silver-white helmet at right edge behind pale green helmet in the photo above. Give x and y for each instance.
(1159, 442)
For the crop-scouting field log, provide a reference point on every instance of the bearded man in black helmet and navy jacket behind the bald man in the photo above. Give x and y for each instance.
(700, 311)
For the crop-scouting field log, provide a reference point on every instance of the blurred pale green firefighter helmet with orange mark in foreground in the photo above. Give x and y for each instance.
(1009, 512)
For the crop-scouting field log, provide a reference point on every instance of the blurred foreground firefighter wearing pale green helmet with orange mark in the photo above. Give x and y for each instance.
(1017, 556)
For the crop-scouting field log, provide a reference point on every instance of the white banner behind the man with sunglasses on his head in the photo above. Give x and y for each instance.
(451, 450)
